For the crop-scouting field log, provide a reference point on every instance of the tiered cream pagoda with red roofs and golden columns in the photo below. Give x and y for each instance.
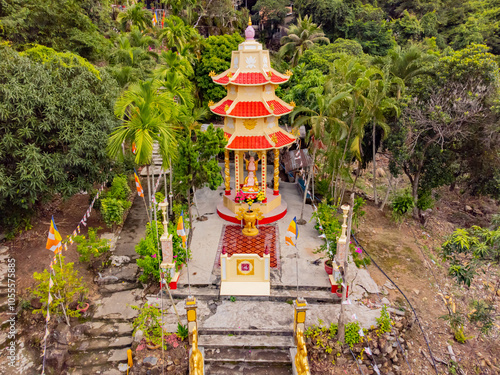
(251, 111)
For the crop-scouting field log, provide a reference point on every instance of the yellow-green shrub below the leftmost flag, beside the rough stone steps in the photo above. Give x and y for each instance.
(67, 288)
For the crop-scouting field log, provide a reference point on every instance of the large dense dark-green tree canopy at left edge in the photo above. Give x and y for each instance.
(56, 113)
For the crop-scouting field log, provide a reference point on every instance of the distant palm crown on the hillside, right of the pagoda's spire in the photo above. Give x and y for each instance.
(301, 37)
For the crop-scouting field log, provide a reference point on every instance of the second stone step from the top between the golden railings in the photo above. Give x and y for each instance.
(248, 356)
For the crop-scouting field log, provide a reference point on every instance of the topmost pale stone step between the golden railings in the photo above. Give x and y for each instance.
(245, 341)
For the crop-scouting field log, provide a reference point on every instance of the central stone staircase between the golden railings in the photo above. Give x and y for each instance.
(254, 351)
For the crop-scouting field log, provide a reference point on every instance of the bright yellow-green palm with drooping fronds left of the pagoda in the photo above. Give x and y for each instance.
(146, 113)
